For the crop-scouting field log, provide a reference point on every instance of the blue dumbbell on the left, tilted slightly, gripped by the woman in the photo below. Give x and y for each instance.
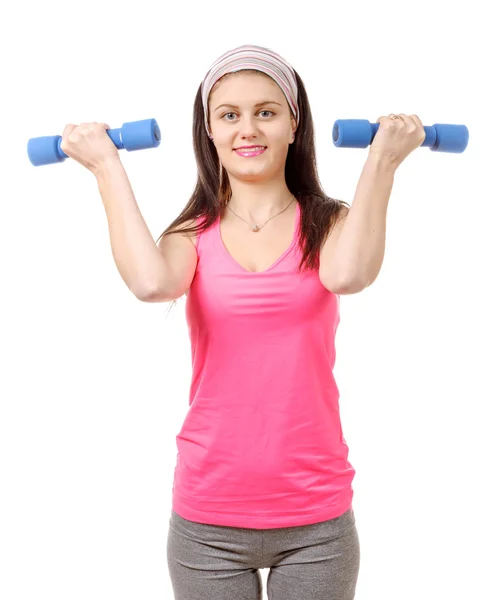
(137, 135)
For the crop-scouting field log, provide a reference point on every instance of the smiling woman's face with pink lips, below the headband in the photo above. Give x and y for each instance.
(248, 123)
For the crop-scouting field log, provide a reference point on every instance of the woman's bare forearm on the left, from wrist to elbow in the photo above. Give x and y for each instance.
(137, 258)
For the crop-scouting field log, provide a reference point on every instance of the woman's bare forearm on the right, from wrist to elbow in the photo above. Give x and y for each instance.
(361, 242)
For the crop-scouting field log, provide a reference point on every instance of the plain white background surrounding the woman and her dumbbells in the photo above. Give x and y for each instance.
(94, 383)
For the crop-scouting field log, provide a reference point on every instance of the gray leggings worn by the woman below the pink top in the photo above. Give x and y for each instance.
(309, 562)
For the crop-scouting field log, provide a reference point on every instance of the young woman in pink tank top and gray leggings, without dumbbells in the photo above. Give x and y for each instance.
(262, 478)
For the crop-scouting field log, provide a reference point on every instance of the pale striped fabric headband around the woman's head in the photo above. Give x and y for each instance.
(258, 59)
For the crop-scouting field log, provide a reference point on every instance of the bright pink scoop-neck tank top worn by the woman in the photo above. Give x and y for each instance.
(261, 445)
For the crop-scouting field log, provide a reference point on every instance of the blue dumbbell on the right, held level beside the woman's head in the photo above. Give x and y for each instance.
(359, 133)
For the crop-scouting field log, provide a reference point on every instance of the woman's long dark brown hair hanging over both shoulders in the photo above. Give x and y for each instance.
(319, 212)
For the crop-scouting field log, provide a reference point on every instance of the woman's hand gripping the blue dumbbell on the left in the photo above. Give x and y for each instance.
(89, 145)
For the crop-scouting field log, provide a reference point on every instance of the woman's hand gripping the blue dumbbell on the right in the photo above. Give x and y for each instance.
(397, 138)
